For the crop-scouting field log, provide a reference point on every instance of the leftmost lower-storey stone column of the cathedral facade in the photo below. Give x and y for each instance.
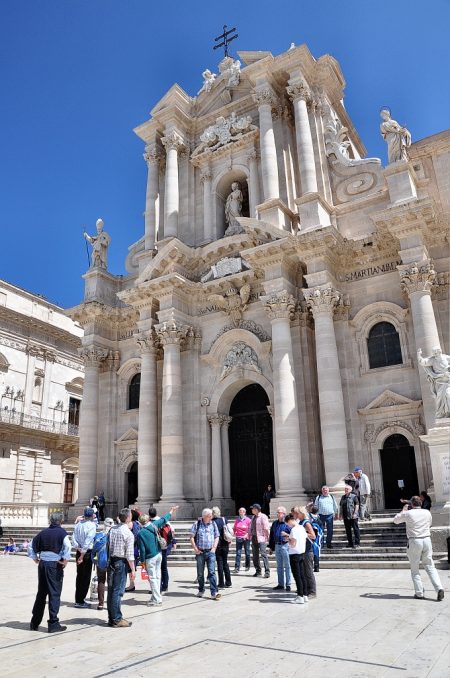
(89, 423)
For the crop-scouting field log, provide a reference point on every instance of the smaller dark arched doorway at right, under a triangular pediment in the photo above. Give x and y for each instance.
(398, 463)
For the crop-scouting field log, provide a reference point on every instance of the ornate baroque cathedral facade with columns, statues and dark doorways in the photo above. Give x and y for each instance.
(267, 330)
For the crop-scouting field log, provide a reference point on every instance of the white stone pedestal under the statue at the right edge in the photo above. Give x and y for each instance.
(438, 443)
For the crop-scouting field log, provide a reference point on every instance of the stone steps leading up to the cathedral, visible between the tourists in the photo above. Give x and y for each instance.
(383, 545)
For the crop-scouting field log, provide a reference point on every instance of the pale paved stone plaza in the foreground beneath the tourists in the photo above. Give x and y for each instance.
(363, 623)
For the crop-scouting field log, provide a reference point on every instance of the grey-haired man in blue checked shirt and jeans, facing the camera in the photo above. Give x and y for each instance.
(204, 540)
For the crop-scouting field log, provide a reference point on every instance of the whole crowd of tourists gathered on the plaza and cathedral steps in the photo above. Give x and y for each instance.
(295, 537)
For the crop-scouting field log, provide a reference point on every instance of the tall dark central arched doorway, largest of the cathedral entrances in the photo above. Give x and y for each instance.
(251, 450)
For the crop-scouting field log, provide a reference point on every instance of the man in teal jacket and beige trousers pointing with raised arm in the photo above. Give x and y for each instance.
(150, 544)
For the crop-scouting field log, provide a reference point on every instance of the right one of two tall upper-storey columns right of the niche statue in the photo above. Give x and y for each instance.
(300, 96)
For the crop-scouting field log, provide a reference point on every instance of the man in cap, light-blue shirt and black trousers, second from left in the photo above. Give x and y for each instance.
(83, 540)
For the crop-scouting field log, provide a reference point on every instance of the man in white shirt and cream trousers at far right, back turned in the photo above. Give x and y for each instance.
(418, 523)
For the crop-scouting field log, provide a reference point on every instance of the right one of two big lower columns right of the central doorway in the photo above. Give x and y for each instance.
(322, 301)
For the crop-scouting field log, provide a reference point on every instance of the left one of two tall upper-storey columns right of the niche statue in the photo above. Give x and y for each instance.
(265, 100)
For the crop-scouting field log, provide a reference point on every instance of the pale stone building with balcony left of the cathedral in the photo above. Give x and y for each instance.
(41, 386)
